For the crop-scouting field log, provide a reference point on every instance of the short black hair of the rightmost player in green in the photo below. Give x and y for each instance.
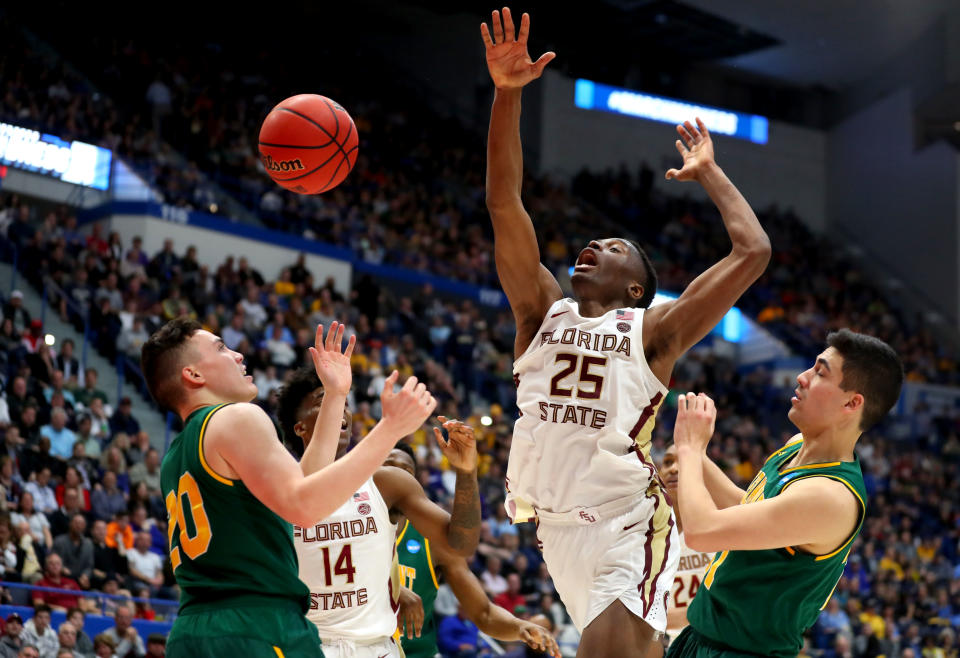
(871, 368)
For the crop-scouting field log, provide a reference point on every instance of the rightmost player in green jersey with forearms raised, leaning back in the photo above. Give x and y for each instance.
(785, 540)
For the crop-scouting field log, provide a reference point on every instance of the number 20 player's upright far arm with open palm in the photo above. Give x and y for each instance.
(333, 369)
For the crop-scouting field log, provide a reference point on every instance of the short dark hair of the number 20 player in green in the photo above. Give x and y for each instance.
(161, 360)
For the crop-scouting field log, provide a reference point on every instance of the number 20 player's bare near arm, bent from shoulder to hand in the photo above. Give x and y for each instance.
(243, 438)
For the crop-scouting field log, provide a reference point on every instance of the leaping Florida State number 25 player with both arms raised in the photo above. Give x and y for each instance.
(591, 376)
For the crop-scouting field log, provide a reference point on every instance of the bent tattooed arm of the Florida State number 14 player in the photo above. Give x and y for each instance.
(458, 533)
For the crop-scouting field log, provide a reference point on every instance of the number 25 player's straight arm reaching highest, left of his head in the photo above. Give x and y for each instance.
(529, 286)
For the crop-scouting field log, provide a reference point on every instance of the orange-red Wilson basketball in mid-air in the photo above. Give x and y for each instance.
(308, 144)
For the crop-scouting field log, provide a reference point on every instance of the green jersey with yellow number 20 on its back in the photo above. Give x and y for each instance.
(224, 543)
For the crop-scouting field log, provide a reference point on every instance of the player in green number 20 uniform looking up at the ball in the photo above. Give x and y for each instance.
(232, 491)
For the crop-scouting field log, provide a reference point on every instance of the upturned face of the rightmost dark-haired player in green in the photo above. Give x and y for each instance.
(819, 402)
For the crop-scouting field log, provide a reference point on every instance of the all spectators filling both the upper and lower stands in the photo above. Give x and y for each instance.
(81, 481)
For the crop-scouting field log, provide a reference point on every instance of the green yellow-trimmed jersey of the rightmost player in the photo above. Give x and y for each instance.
(761, 602)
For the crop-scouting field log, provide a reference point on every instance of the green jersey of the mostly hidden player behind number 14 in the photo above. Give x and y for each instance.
(417, 574)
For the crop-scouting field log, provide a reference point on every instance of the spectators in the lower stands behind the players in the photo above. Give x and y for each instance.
(70, 448)
